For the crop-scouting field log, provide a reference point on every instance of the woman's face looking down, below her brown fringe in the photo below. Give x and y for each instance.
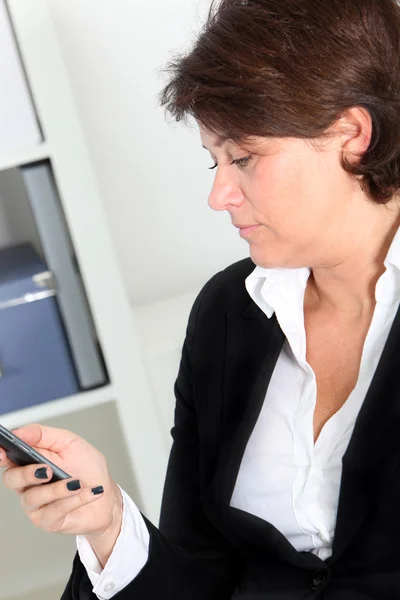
(306, 207)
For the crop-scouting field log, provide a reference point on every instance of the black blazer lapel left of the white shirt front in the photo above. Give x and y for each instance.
(253, 345)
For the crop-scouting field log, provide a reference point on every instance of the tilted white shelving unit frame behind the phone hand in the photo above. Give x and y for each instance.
(121, 418)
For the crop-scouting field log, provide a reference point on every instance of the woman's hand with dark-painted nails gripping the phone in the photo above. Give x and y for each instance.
(54, 507)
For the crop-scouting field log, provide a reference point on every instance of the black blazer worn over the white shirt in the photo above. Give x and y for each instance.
(206, 550)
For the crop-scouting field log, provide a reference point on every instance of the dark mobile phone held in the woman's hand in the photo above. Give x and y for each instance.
(22, 454)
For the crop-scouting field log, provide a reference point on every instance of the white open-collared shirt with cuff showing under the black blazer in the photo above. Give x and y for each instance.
(283, 478)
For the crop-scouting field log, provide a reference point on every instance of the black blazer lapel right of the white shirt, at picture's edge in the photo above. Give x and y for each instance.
(373, 454)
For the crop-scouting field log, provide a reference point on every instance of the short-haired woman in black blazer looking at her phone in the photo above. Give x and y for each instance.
(284, 475)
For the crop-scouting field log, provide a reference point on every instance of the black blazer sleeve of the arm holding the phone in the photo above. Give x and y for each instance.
(188, 556)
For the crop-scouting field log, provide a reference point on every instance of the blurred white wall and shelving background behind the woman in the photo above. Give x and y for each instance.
(106, 239)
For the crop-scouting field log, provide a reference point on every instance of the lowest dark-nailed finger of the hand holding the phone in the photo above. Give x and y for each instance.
(56, 516)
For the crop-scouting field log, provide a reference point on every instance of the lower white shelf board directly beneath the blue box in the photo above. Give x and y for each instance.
(57, 408)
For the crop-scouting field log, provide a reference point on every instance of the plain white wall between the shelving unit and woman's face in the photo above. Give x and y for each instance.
(153, 175)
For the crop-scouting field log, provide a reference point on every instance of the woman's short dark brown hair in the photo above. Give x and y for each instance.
(291, 68)
